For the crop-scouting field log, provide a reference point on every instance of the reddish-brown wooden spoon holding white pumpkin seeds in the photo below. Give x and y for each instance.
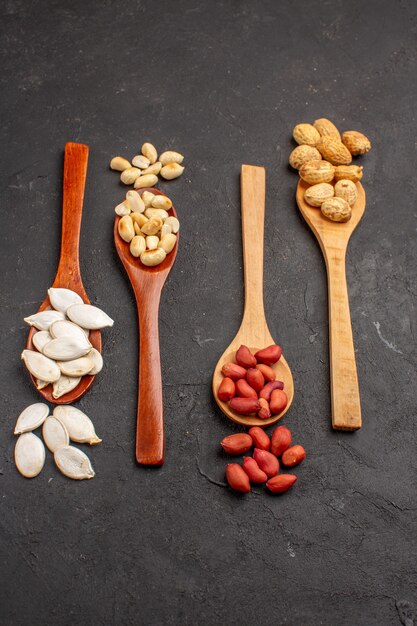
(68, 274)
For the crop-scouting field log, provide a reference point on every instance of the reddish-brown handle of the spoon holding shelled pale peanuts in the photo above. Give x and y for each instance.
(150, 416)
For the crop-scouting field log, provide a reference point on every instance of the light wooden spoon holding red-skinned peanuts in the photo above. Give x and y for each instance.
(253, 331)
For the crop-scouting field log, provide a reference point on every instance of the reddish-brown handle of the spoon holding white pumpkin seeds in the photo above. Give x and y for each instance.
(75, 171)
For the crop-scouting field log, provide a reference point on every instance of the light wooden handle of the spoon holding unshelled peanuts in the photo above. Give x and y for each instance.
(346, 405)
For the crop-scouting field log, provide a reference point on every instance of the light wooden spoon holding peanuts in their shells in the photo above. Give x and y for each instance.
(333, 238)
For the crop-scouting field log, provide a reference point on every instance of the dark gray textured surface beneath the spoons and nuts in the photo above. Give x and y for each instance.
(223, 82)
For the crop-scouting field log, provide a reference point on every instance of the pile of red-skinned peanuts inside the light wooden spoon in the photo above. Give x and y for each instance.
(249, 385)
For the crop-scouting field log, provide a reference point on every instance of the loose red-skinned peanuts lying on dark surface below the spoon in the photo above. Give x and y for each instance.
(264, 466)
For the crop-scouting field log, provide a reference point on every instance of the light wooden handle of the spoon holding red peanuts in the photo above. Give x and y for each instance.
(252, 182)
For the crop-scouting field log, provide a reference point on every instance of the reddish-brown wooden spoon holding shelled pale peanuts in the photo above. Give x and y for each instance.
(147, 283)
